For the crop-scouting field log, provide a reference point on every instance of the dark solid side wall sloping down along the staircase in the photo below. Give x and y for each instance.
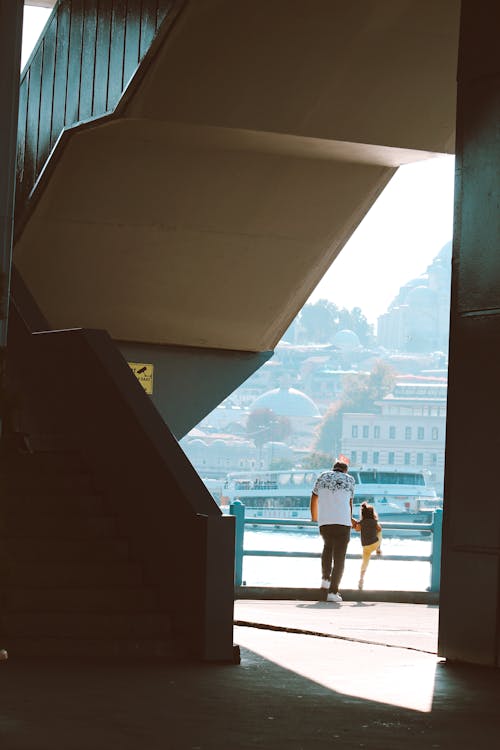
(76, 384)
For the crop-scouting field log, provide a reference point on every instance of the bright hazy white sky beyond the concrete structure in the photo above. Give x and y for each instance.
(395, 242)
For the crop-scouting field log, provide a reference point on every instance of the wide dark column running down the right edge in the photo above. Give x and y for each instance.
(470, 586)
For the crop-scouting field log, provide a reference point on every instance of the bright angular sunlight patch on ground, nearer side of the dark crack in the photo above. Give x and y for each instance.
(380, 674)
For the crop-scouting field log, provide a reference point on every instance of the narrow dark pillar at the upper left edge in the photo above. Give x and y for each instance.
(11, 26)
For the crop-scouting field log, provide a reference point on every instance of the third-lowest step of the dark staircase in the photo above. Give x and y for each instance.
(98, 599)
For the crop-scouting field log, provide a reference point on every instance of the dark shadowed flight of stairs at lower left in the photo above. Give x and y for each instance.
(68, 584)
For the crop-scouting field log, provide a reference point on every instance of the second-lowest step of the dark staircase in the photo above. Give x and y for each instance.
(63, 625)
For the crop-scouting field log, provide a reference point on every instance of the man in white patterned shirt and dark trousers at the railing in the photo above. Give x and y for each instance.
(331, 507)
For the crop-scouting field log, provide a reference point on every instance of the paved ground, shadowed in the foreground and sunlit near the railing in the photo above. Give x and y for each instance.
(369, 680)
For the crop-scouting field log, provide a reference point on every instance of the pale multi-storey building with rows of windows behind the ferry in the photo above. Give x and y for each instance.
(408, 431)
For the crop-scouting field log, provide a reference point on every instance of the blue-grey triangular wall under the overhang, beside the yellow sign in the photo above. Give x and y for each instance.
(189, 382)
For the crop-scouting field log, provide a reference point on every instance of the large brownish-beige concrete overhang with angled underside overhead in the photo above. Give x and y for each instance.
(258, 138)
